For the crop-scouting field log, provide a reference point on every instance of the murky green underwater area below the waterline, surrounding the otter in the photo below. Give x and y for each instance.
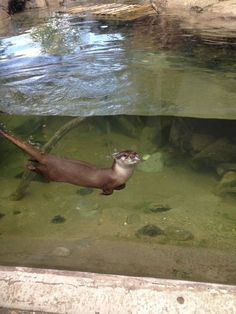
(170, 221)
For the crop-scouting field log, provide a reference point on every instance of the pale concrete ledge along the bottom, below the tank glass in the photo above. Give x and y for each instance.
(54, 291)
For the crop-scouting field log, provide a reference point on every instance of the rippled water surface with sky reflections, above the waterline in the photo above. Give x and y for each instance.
(80, 66)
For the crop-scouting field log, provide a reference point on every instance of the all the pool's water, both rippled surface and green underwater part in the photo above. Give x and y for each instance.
(64, 66)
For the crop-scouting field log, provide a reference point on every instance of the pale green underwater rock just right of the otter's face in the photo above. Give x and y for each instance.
(155, 163)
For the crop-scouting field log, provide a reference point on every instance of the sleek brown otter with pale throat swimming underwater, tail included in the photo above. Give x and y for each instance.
(59, 169)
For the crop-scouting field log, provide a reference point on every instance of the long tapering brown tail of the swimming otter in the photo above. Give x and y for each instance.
(35, 153)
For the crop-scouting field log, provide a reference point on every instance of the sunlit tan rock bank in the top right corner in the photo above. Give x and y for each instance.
(212, 19)
